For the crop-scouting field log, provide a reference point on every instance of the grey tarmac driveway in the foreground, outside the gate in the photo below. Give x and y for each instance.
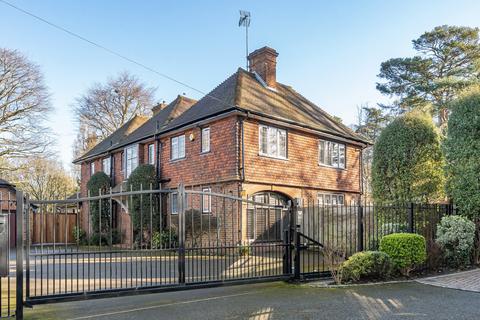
(277, 301)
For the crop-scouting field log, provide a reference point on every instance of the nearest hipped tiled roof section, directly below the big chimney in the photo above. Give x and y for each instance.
(244, 91)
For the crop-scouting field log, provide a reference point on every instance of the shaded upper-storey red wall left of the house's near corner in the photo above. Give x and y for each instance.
(220, 164)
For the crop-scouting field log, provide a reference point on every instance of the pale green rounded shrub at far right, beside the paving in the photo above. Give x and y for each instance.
(455, 235)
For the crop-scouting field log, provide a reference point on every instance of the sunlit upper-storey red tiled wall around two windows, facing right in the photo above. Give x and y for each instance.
(302, 168)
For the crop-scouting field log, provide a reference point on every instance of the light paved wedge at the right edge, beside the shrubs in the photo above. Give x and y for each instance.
(466, 280)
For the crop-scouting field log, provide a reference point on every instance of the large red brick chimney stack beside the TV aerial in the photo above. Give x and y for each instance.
(264, 62)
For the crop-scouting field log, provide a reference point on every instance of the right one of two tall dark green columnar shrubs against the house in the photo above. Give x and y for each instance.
(143, 208)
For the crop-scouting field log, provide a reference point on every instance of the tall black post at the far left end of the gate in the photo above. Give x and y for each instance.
(19, 255)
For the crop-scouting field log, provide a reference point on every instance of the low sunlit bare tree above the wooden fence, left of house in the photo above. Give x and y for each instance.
(44, 179)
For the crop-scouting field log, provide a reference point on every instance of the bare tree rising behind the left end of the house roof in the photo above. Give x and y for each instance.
(106, 107)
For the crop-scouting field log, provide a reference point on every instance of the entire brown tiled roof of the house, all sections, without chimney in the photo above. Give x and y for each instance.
(241, 91)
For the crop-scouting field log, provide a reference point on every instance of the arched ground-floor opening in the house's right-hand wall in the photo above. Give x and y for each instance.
(267, 222)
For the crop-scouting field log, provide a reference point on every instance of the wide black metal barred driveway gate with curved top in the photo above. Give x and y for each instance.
(149, 240)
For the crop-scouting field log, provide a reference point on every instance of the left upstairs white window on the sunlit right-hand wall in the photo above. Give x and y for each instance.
(272, 142)
